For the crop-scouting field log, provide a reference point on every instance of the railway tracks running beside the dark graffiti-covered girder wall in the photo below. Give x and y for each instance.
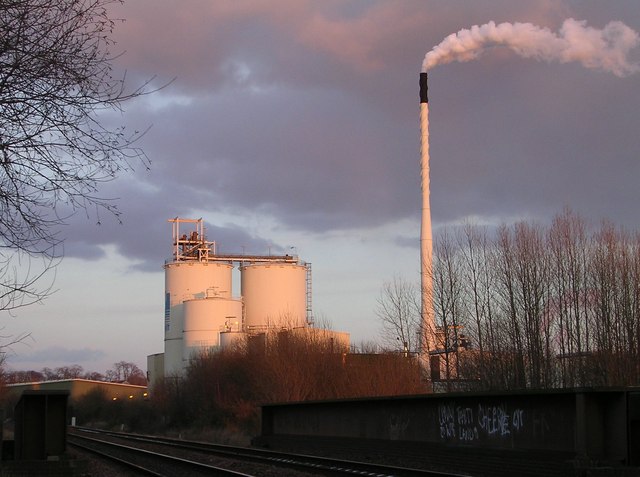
(161, 456)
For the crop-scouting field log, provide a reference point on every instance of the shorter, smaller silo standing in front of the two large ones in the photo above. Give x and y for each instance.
(204, 320)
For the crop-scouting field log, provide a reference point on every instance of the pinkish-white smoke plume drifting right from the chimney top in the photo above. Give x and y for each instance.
(605, 49)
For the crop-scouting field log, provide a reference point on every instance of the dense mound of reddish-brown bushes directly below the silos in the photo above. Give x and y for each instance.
(225, 388)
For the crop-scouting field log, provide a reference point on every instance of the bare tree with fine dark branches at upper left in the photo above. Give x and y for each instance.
(56, 79)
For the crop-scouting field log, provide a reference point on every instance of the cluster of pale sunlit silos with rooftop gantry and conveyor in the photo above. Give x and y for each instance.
(201, 311)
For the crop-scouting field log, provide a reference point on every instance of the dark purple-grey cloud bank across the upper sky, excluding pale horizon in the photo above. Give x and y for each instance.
(307, 112)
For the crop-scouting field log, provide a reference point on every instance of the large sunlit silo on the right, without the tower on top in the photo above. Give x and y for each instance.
(274, 295)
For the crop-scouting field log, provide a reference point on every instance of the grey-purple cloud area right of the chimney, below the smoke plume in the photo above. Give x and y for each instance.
(534, 138)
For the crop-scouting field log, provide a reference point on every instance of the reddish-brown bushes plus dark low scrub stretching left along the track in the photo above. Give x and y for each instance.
(223, 389)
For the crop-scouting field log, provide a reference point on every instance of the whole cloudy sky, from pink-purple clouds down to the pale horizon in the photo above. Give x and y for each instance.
(293, 123)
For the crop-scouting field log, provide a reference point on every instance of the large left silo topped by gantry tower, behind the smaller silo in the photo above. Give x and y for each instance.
(186, 280)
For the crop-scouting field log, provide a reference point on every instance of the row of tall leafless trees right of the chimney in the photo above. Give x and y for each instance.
(543, 307)
